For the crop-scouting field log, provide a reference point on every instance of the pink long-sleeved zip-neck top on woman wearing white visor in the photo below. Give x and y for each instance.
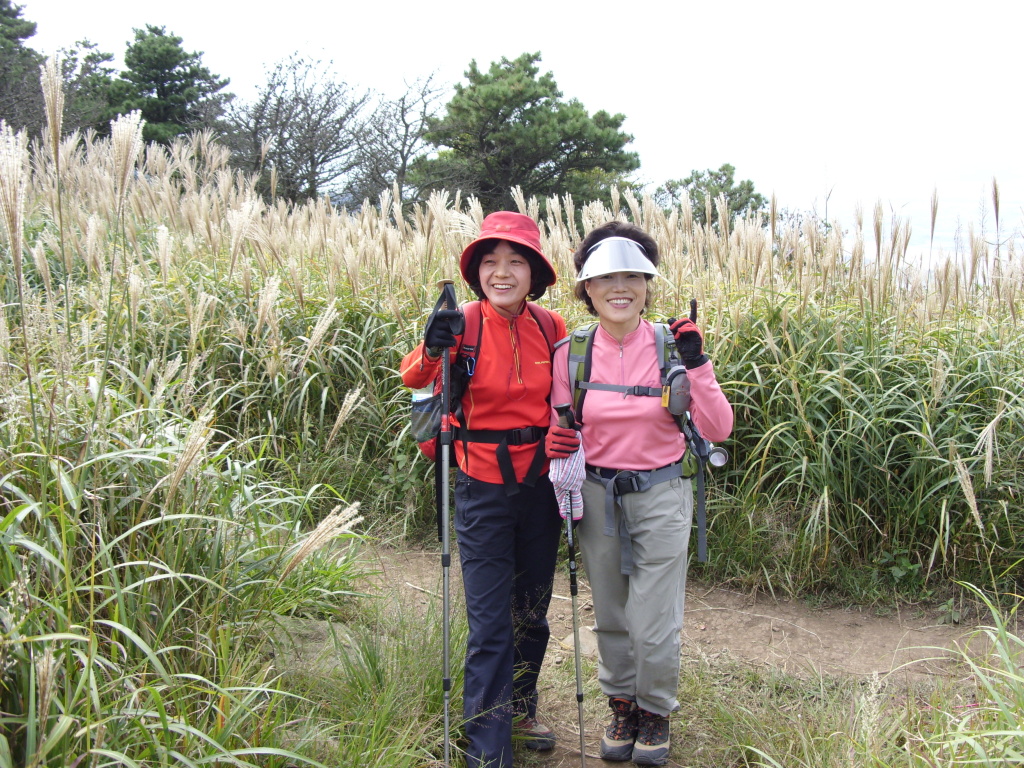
(637, 433)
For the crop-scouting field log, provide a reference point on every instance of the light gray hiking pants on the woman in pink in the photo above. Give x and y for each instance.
(638, 618)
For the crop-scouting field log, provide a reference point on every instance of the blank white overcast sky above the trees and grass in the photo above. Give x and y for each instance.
(865, 101)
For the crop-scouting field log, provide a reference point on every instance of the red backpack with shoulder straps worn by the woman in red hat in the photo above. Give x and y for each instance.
(426, 430)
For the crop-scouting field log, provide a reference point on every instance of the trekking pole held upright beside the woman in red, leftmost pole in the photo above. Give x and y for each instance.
(442, 483)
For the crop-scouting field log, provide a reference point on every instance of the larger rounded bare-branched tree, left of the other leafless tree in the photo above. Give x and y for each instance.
(304, 127)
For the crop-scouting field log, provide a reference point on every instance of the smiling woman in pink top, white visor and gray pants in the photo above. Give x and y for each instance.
(635, 533)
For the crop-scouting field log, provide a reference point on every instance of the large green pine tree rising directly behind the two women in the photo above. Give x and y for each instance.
(509, 126)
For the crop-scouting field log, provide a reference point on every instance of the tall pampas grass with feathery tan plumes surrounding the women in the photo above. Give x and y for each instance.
(201, 422)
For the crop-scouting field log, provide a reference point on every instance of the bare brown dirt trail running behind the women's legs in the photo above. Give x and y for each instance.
(751, 629)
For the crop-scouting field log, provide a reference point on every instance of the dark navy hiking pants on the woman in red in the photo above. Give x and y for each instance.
(508, 547)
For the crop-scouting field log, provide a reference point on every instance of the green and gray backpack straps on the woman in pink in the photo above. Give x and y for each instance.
(675, 390)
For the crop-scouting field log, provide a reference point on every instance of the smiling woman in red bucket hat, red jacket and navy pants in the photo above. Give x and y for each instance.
(507, 522)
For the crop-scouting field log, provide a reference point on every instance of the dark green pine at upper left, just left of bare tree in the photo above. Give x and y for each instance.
(170, 87)
